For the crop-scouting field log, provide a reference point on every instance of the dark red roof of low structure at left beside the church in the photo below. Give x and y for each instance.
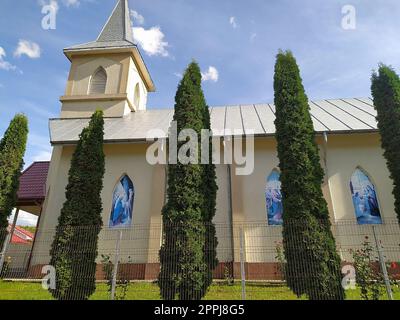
(32, 183)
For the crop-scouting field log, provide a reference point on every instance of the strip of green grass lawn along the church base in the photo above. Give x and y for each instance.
(149, 291)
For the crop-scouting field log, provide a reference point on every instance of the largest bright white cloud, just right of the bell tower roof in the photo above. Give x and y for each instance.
(151, 40)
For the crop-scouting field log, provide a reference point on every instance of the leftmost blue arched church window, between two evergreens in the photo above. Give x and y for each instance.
(122, 203)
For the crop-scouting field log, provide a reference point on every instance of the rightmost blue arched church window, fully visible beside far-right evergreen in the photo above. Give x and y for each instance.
(365, 200)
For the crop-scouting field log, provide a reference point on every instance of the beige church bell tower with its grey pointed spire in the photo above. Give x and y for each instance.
(108, 73)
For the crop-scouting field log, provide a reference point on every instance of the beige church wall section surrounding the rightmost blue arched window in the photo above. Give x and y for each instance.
(345, 154)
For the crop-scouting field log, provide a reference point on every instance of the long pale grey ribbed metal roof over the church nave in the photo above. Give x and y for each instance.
(345, 115)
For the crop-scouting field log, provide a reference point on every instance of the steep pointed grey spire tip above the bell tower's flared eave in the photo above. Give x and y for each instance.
(118, 26)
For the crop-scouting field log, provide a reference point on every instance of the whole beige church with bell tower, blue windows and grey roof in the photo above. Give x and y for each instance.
(110, 74)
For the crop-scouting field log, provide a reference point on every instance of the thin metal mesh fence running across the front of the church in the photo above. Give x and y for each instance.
(251, 262)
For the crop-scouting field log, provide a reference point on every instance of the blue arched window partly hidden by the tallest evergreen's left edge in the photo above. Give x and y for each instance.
(273, 198)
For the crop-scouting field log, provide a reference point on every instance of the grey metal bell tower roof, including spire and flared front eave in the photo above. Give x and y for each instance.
(116, 33)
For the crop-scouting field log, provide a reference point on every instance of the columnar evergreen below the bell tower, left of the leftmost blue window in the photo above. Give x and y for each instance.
(74, 249)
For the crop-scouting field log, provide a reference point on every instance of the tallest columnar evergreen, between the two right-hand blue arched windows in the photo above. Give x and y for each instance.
(313, 265)
